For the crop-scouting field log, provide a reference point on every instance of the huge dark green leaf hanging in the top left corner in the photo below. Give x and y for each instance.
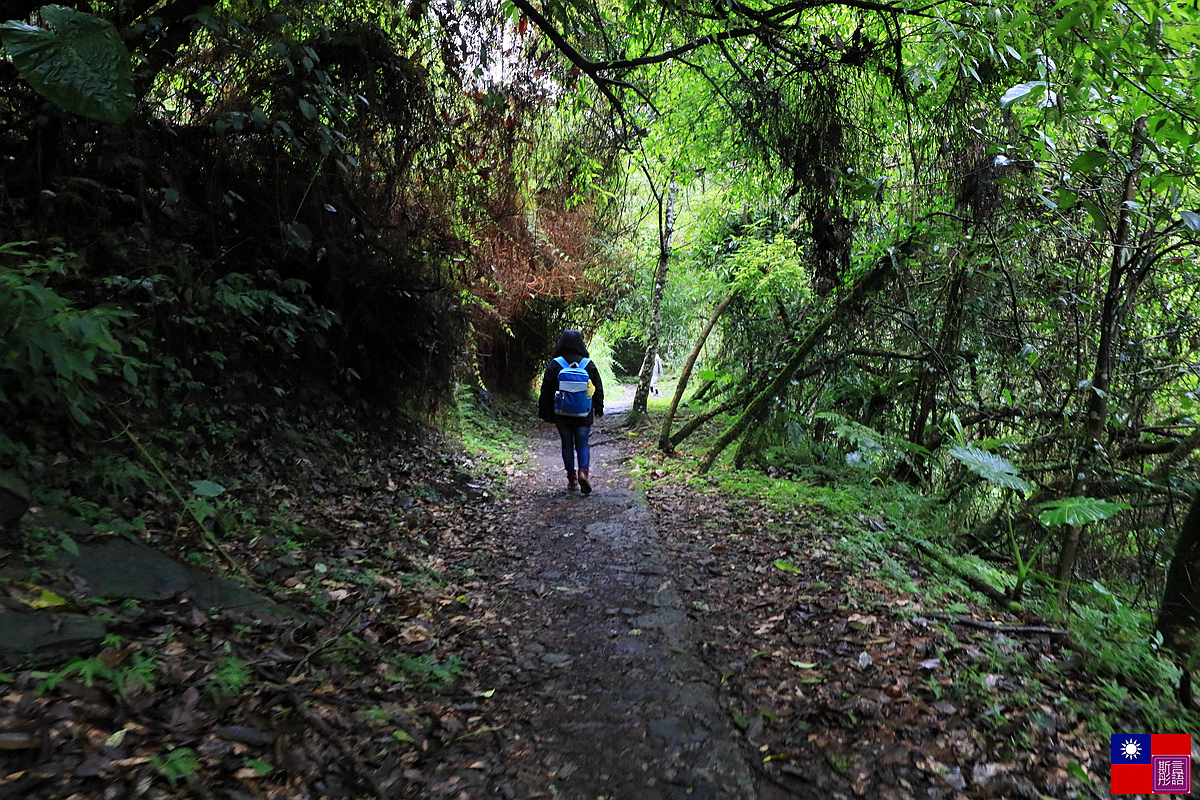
(81, 65)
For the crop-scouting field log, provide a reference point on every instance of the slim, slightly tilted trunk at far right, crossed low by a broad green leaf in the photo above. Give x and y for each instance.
(1118, 296)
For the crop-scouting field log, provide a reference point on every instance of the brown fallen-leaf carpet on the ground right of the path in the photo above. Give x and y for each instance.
(865, 691)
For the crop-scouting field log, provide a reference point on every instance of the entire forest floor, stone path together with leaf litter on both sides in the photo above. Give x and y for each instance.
(662, 639)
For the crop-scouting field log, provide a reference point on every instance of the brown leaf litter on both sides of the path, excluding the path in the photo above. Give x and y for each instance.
(418, 677)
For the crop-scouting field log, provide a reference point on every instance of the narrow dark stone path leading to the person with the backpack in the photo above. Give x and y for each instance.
(601, 688)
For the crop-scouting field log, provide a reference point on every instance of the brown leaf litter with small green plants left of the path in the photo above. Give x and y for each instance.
(184, 701)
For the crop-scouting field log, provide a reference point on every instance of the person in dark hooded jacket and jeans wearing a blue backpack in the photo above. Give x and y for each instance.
(574, 416)
